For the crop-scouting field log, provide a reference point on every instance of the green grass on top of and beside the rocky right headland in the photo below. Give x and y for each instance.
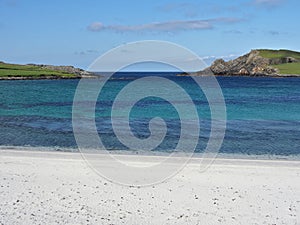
(287, 68)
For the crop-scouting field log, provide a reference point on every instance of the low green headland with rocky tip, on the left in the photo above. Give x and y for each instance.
(34, 71)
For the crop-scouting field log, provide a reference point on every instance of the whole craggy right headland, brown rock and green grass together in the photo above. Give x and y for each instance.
(258, 62)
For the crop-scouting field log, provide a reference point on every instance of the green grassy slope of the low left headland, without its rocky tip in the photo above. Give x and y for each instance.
(14, 70)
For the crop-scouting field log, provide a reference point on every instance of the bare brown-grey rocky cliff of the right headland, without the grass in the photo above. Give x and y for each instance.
(251, 64)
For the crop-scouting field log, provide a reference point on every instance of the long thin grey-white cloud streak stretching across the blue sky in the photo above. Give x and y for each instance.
(169, 26)
